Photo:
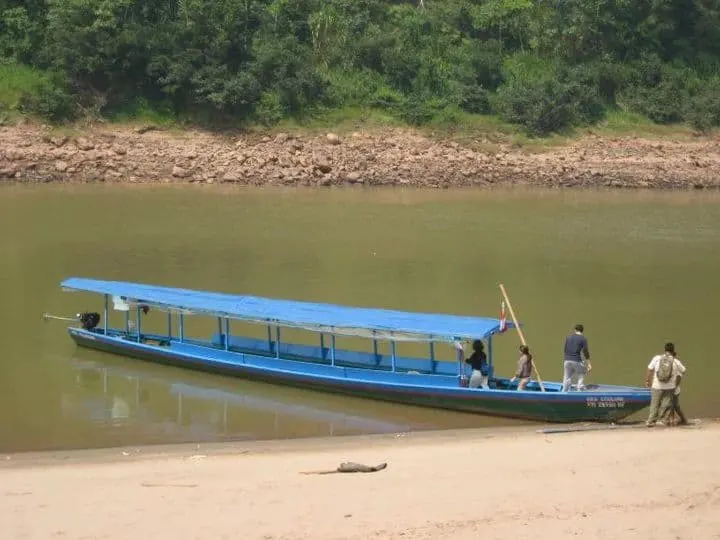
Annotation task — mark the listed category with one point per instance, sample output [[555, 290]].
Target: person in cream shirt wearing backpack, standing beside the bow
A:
[[663, 376]]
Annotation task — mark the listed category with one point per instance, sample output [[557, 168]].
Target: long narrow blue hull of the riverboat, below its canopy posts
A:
[[561, 407]]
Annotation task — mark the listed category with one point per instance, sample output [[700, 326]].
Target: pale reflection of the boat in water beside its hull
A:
[[139, 400]]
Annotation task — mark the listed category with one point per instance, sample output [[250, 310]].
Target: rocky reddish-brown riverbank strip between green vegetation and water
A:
[[32, 153]]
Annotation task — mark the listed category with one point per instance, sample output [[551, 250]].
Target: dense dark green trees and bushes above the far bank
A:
[[543, 64]]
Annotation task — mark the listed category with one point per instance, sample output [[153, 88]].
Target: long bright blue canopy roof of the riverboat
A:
[[327, 318]]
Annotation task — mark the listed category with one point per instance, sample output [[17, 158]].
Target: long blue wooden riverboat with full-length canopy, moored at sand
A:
[[428, 382]]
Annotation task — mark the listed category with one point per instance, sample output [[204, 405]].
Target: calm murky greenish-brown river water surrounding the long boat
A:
[[636, 268]]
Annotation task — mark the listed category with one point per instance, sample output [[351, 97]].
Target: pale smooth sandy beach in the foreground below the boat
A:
[[623, 483]]
